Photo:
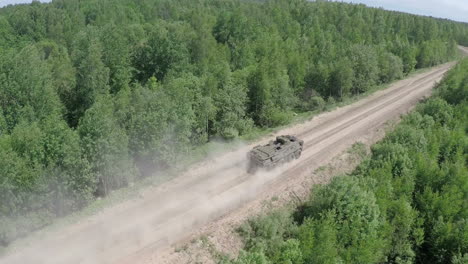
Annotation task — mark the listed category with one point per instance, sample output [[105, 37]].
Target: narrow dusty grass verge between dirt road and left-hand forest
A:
[[197, 155]]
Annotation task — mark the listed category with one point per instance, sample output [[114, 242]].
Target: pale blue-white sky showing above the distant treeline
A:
[[451, 9]]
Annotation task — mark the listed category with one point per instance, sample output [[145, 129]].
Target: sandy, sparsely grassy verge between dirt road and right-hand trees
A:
[[220, 239]]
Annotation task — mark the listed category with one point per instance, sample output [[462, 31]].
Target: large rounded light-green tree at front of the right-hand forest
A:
[[356, 217]]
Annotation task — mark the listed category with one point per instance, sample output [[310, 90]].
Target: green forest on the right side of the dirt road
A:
[[407, 203]]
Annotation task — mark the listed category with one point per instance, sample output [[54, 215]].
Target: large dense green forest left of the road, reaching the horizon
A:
[[98, 94]]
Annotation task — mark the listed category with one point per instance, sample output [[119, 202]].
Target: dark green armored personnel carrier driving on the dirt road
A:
[[282, 150]]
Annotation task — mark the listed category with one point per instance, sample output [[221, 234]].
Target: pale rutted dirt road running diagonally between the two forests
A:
[[168, 213]]
